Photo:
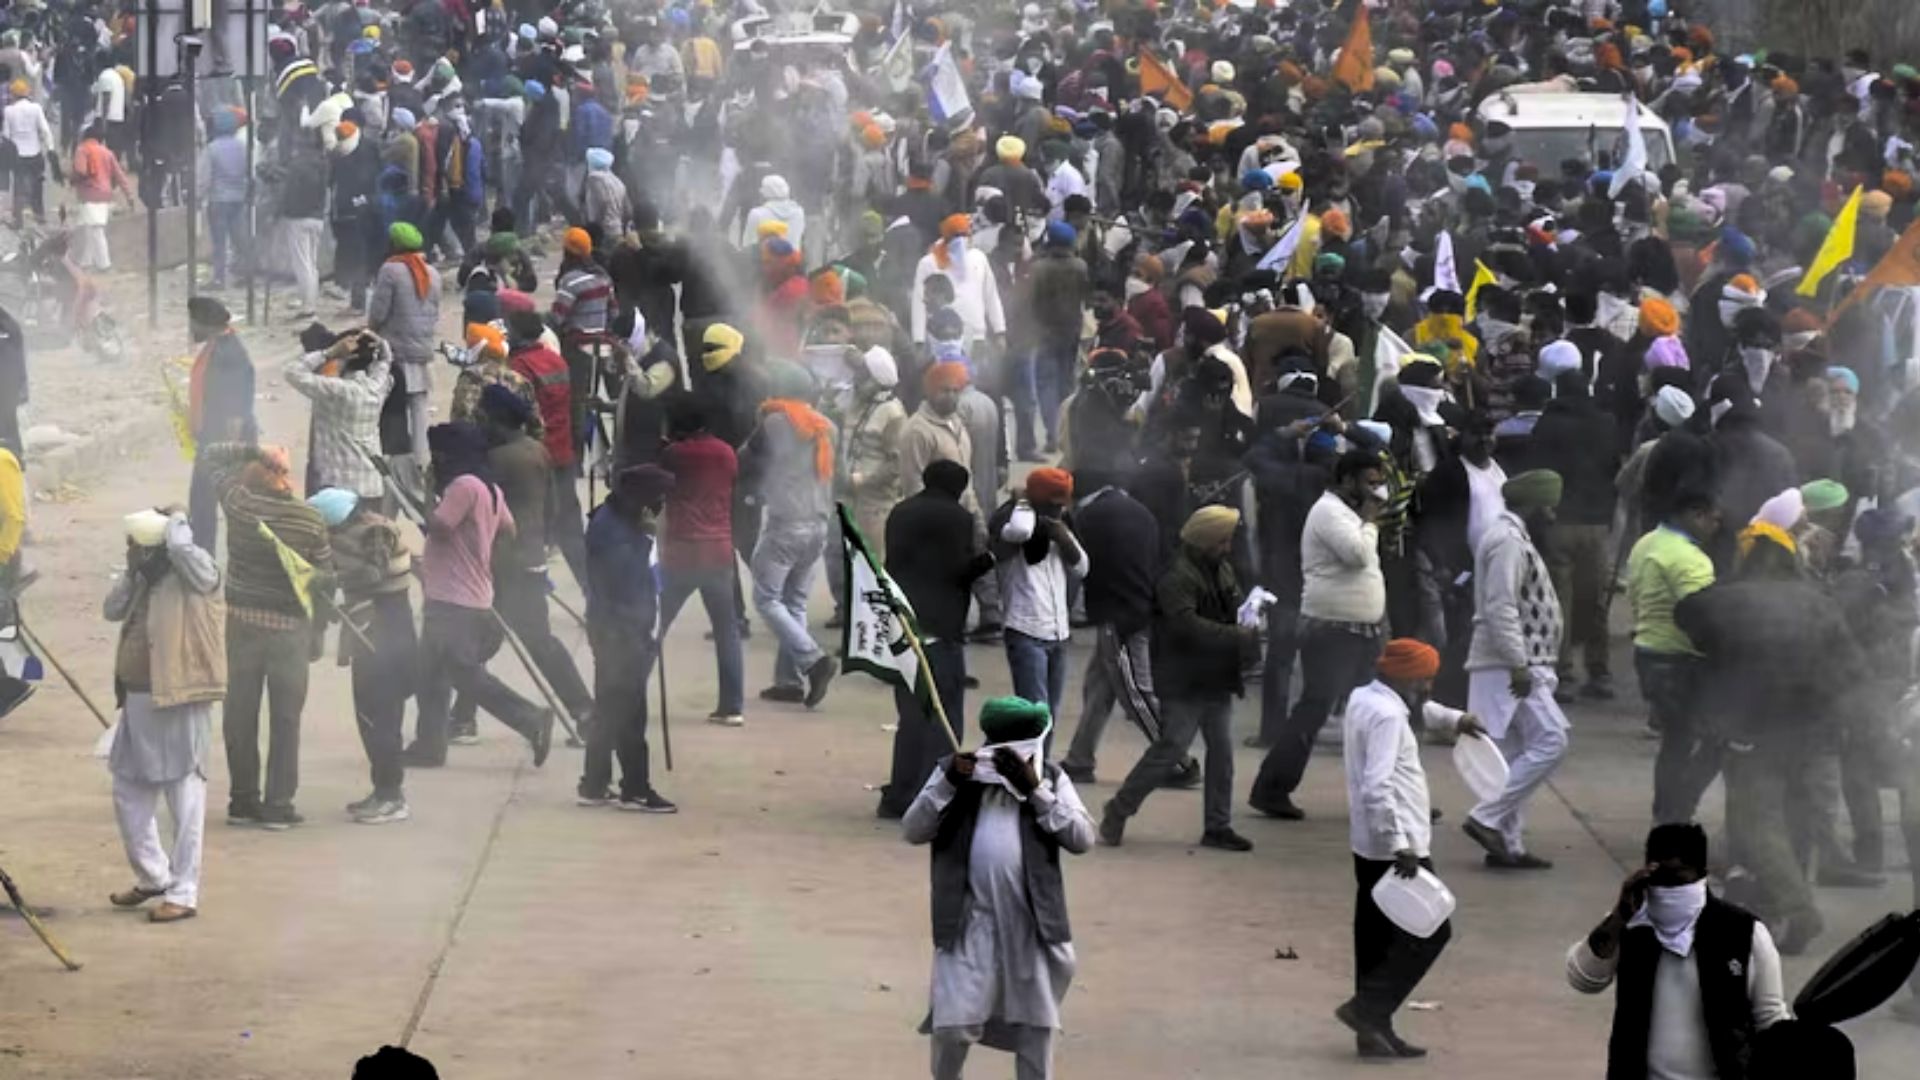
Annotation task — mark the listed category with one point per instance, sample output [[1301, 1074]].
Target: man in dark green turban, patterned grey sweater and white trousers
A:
[[1514, 662]]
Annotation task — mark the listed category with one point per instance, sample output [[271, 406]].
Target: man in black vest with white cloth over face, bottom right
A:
[[1696, 975]]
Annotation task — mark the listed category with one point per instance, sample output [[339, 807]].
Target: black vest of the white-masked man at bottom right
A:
[[1723, 948]]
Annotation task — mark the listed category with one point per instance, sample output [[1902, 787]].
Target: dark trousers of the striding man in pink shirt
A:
[[456, 643]]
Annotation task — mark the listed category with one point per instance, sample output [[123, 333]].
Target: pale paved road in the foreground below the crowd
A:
[[773, 929]]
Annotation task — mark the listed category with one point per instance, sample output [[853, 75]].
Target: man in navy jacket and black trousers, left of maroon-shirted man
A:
[[623, 614]]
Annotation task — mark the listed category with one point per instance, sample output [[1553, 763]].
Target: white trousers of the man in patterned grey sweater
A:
[[1533, 737]]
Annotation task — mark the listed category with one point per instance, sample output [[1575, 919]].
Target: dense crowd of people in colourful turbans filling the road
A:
[[1249, 339]]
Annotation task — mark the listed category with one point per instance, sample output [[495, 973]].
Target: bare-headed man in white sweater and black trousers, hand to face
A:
[[1343, 606]]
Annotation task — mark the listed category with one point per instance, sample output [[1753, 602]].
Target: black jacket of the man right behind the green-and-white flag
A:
[[930, 556]]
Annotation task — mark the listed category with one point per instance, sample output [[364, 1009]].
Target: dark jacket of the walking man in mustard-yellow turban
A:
[[1199, 649]]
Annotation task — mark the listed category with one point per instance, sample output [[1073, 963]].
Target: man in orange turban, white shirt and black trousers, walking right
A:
[[1391, 831]]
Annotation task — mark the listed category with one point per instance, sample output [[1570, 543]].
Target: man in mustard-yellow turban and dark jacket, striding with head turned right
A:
[[1199, 650]]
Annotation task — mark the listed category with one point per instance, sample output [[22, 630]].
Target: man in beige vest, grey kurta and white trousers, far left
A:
[[170, 670]]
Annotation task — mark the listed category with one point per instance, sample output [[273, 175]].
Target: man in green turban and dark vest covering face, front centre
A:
[[1003, 952]]
